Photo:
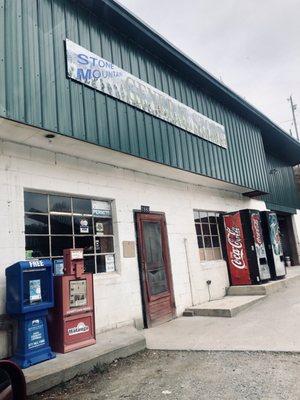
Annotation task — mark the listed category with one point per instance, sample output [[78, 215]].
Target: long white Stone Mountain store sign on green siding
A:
[[100, 74]]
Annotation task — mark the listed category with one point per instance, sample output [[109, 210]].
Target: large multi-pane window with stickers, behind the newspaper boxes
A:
[[54, 223]]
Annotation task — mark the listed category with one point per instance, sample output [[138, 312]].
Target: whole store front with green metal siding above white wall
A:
[[114, 141]]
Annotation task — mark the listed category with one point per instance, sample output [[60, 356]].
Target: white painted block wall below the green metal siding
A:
[[117, 295]]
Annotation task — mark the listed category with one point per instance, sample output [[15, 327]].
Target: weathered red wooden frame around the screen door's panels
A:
[[143, 285]]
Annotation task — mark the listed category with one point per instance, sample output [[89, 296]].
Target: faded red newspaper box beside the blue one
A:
[[72, 320]]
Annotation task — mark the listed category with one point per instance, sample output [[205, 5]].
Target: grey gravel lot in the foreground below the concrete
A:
[[182, 375]]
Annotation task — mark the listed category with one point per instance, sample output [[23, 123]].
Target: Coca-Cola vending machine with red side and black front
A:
[[244, 247]]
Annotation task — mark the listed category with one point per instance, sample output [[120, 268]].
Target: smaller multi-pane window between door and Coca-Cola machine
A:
[[208, 236]]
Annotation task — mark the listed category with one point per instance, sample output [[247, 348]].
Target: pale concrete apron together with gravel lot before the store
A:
[[254, 356]]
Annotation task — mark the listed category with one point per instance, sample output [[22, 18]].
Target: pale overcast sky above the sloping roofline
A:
[[253, 45]]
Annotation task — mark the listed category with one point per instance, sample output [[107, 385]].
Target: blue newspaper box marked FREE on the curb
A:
[[29, 295]]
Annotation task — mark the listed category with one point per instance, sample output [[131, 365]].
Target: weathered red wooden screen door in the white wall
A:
[[155, 268]]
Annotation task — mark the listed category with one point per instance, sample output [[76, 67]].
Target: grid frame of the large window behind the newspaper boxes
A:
[[74, 235]]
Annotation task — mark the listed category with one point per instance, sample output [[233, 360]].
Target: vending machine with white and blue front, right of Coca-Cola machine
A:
[[273, 244]]
